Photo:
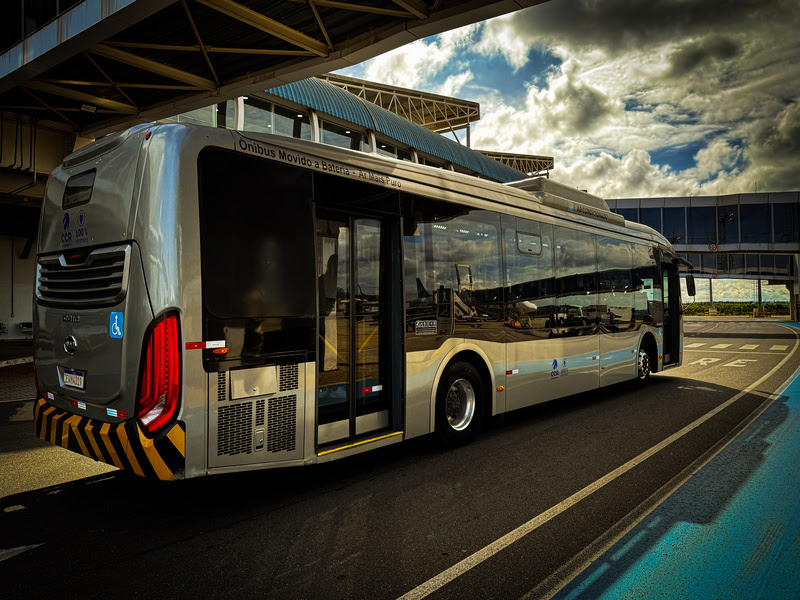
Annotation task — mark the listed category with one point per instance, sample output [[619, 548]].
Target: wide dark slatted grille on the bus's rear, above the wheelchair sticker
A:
[[79, 280]]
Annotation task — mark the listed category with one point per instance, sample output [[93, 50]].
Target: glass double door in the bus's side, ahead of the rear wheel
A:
[[354, 391]]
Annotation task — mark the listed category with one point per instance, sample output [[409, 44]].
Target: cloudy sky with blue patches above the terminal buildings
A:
[[632, 98]]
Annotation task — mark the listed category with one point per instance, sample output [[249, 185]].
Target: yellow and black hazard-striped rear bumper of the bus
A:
[[123, 445]]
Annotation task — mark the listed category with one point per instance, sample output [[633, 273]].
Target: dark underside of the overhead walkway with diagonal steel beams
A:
[[194, 53]]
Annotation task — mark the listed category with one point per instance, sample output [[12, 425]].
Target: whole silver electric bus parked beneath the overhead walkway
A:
[[210, 301]]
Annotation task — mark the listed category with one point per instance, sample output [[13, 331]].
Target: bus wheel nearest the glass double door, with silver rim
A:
[[459, 404]]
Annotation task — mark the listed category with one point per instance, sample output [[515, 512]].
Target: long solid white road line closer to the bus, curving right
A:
[[427, 588]]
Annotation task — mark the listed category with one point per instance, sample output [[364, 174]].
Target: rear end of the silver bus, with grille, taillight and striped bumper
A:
[[107, 363]]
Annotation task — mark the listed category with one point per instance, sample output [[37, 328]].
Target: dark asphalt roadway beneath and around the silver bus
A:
[[512, 515]]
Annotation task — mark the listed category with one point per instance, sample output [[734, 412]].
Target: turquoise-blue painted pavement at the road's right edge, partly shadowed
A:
[[732, 531]]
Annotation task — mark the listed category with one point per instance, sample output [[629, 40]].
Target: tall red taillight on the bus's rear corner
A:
[[160, 381]]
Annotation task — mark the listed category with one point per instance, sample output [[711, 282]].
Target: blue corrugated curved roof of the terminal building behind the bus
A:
[[332, 100]]
